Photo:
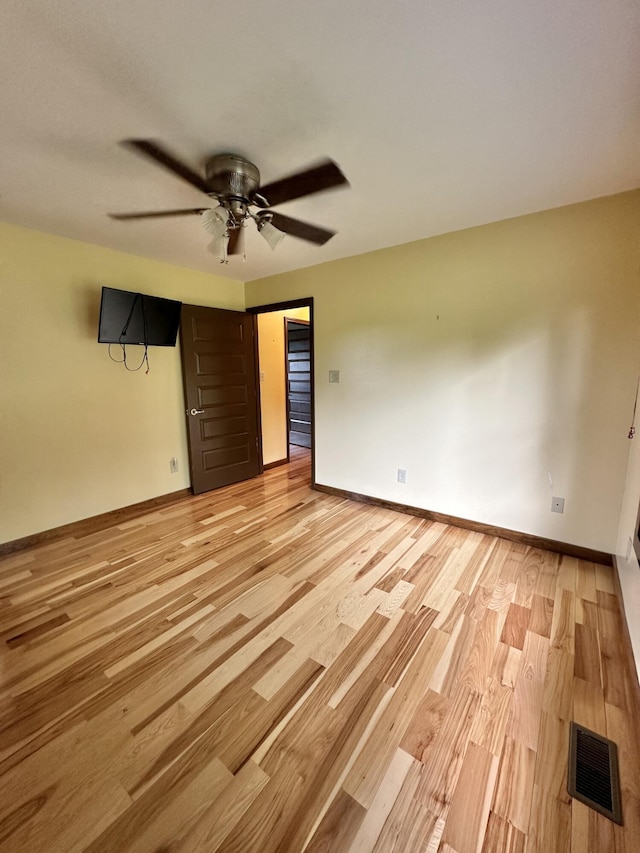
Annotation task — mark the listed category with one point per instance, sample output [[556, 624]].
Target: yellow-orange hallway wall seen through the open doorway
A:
[[273, 403]]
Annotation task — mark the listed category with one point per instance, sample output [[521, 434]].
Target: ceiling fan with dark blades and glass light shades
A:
[[235, 183]]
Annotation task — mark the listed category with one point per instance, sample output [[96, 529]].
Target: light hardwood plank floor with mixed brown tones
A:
[[268, 668]]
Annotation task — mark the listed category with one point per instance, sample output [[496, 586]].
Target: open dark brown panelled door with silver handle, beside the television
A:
[[219, 374]]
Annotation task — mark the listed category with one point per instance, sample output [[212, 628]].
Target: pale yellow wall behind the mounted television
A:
[[80, 435]]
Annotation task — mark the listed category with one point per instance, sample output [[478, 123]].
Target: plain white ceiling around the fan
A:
[[443, 114]]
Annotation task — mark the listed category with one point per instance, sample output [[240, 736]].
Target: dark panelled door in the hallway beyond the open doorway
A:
[[298, 341]]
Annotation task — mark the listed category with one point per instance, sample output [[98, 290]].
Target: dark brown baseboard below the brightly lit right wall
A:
[[479, 527]]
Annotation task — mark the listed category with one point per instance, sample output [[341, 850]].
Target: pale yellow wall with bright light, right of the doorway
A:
[[481, 362]]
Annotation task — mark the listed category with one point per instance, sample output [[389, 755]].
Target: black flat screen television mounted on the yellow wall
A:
[[134, 318]]
